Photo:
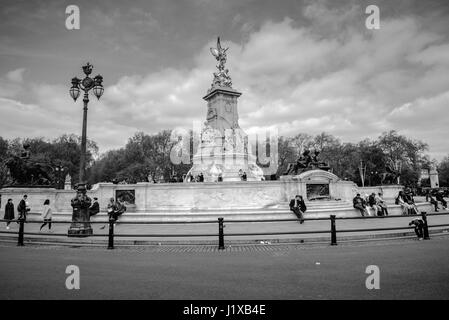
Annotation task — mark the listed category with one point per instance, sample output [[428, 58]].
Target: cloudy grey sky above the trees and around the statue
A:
[[302, 66]]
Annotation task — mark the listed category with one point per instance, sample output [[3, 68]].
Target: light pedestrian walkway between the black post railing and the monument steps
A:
[[234, 233]]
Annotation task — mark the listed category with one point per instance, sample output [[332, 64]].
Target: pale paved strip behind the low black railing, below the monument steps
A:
[[232, 228]]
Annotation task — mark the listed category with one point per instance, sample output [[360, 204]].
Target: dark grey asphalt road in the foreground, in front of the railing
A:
[[409, 269]]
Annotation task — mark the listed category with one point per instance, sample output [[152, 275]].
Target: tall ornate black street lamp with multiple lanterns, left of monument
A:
[[80, 226]]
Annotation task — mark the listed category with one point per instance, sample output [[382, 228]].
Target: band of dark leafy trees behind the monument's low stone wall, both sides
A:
[[147, 155]]
